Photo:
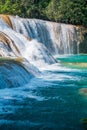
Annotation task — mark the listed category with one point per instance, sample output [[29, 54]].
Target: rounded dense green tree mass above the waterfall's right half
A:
[[67, 11]]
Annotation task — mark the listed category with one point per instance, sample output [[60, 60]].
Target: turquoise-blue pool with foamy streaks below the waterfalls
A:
[[52, 102]]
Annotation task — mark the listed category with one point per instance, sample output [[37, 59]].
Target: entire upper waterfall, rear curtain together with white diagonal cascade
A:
[[36, 40]]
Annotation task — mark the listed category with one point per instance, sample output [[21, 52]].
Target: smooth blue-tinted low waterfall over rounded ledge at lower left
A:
[[13, 74]]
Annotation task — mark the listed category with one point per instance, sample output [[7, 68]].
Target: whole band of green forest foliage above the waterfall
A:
[[66, 11]]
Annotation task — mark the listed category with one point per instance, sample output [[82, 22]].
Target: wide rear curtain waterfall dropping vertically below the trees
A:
[[58, 38]]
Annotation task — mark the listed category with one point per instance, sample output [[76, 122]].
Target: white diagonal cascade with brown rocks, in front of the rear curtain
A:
[[14, 44]]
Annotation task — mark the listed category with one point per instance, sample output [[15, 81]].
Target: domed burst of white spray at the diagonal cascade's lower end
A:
[[37, 54]]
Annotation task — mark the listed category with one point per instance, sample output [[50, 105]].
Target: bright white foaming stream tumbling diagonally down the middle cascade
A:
[[33, 51]]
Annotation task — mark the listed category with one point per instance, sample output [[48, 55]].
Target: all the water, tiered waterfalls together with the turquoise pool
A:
[[37, 91]]
